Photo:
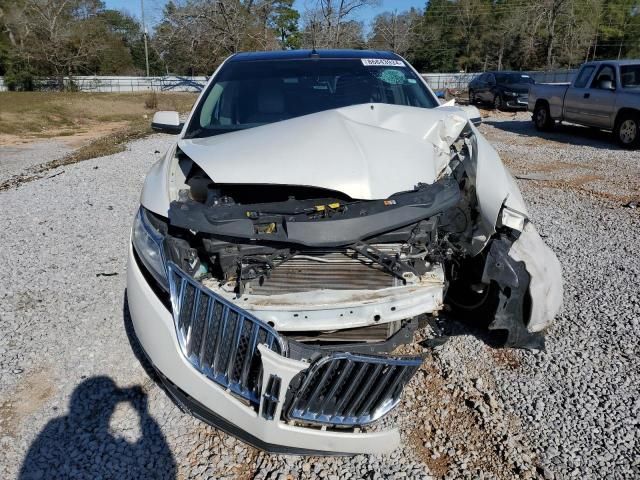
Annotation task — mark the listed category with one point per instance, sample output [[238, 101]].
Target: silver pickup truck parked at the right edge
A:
[[604, 94]]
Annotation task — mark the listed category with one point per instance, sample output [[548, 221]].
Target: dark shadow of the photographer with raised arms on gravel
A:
[[80, 445]]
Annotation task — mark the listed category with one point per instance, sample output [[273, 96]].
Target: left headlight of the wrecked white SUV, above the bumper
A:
[[147, 240]]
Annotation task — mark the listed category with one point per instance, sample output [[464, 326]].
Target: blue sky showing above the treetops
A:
[[153, 8]]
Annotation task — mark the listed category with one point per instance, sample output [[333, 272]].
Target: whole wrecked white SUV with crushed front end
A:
[[315, 210]]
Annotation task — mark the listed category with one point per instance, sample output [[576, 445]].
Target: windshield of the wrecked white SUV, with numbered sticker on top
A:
[[252, 93]]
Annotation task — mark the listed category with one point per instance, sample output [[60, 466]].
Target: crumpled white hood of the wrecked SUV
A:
[[366, 151]]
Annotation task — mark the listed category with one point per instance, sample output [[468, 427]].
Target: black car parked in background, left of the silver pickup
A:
[[501, 89]]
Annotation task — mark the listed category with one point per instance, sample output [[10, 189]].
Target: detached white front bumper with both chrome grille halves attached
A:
[[239, 378]]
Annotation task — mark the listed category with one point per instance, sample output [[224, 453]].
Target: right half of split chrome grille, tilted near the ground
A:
[[346, 389]]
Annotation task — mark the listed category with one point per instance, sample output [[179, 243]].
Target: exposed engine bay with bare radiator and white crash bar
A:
[[325, 269]]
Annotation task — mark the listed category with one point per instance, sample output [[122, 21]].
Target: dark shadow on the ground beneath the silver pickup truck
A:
[[564, 133]]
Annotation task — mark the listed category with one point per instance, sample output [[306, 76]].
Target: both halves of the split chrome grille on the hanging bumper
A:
[[227, 345]]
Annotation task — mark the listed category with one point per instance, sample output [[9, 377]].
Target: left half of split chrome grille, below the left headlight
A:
[[219, 339]]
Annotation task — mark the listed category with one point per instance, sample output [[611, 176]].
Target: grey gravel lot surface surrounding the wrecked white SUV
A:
[[76, 403]]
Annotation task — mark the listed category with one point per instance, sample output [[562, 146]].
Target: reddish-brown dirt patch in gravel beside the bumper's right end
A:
[[461, 417]]
